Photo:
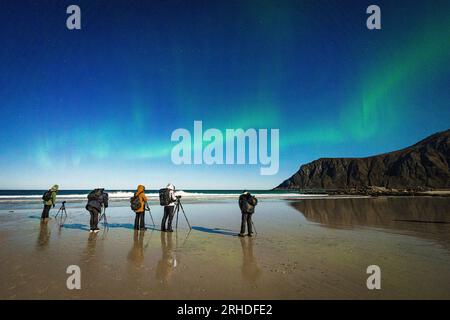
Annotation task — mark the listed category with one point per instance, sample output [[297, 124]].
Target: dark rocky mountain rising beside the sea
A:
[[425, 165]]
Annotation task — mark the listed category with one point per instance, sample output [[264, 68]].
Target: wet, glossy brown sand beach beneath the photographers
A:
[[304, 249]]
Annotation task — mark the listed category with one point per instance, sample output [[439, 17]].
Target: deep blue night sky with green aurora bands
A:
[[97, 106]]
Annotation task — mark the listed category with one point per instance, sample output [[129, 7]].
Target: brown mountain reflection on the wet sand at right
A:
[[424, 217]]
